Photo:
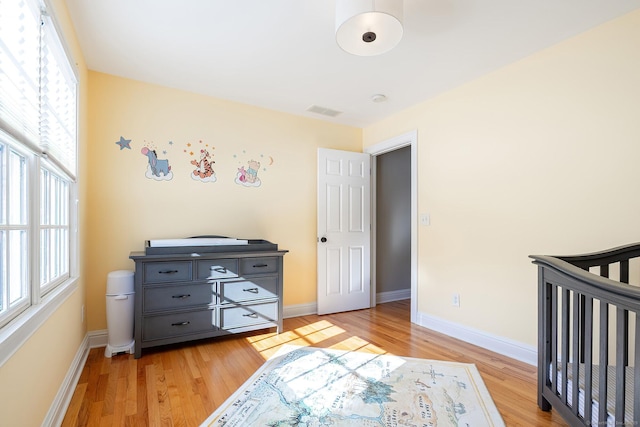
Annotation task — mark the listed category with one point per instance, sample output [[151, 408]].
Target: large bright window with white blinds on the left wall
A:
[[38, 146]]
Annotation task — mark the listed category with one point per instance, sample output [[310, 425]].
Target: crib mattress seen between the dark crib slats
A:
[[611, 390]]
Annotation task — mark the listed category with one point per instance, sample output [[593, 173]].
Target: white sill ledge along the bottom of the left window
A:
[[18, 331]]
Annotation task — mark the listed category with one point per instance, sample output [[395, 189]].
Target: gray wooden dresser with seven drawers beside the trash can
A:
[[187, 296]]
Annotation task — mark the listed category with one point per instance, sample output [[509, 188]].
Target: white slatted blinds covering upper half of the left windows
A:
[[38, 88]]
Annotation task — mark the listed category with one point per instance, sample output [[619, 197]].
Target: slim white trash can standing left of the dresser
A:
[[120, 295]]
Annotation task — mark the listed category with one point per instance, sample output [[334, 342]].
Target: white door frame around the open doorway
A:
[[400, 141]]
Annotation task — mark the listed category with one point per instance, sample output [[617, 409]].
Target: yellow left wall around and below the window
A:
[[30, 379]]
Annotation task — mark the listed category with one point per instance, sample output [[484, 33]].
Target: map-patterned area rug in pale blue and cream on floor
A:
[[308, 386]]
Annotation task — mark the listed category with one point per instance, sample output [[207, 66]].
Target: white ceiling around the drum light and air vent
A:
[[282, 54]]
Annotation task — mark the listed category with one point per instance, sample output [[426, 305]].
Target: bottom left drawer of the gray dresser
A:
[[177, 324]]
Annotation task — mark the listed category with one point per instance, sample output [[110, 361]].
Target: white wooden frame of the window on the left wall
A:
[[47, 299]]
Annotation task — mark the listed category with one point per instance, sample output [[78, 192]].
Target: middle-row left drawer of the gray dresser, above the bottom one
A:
[[176, 297]]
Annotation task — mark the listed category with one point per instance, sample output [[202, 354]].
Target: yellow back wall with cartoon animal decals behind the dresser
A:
[[125, 208]]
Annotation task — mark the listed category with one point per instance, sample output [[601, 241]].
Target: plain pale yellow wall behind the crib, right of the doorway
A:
[[540, 157]]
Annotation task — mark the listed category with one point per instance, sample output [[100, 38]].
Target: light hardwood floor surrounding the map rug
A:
[[181, 385]]
